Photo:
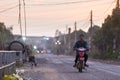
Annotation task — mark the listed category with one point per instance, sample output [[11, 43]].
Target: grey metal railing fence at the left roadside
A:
[[8, 61]]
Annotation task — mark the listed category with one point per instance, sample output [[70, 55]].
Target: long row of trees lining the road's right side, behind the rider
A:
[[104, 41]]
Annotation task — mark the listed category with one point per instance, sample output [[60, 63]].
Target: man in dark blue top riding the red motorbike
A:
[[81, 43]]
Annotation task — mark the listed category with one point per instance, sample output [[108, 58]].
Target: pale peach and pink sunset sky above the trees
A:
[[44, 20]]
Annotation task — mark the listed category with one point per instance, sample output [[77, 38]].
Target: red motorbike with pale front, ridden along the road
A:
[[80, 63]]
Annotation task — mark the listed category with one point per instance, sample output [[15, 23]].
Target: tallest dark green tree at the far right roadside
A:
[[107, 38]]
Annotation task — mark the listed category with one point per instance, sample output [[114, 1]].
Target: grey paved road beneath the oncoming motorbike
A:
[[53, 67]]
